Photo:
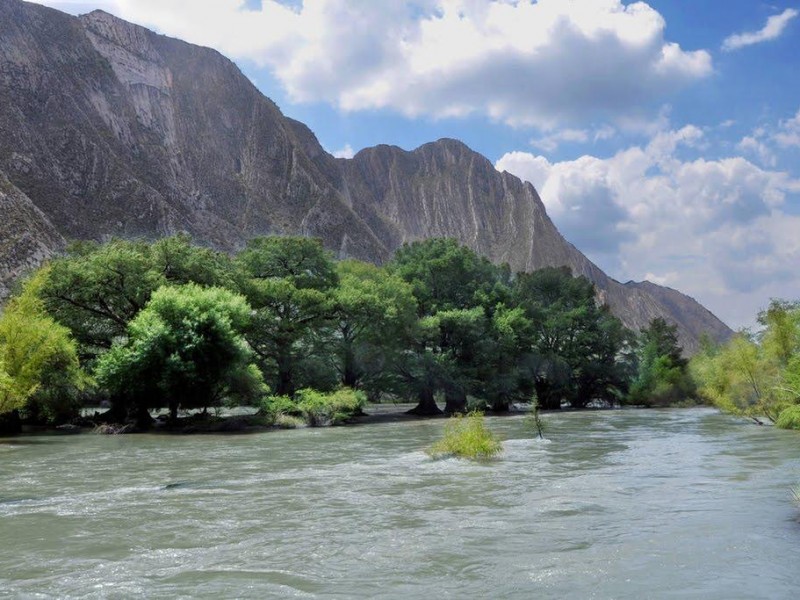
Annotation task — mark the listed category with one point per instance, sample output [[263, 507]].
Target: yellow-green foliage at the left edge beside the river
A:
[[39, 370]]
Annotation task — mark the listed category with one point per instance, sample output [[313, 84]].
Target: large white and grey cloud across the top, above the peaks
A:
[[542, 63]]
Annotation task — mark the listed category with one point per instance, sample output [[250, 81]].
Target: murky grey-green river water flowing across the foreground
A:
[[616, 504]]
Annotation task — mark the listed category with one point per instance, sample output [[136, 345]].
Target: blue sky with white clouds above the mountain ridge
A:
[[663, 136]]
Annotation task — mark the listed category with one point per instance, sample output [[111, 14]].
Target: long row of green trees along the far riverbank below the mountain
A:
[[170, 325]]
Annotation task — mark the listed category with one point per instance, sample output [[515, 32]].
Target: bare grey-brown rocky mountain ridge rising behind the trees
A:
[[108, 129]]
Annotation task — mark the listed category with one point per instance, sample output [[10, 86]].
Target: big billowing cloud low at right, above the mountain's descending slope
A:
[[716, 229]]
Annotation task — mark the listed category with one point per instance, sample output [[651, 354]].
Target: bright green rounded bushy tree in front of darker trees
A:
[[184, 349]]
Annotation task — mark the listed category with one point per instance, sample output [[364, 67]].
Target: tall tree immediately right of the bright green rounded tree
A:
[[288, 282]]
